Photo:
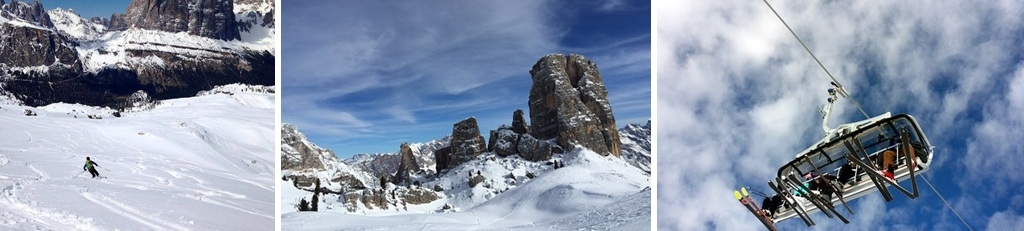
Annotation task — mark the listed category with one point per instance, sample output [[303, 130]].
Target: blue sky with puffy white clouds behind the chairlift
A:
[[738, 98]]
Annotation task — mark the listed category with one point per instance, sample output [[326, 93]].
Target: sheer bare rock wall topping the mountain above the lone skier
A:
[[212, 19]]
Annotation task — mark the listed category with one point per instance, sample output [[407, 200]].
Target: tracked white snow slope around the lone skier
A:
[[192, 164]]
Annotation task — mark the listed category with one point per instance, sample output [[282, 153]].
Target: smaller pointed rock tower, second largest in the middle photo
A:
[[467, 144]]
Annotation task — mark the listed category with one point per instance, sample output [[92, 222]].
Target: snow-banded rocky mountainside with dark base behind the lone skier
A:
[[57, 57]]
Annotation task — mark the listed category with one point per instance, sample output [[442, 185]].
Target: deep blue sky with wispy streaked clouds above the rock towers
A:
[[362, 77]]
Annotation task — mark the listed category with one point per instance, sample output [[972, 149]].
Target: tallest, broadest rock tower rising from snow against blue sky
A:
[[569, 103]]
